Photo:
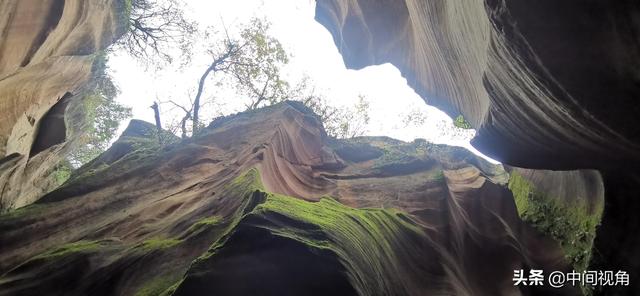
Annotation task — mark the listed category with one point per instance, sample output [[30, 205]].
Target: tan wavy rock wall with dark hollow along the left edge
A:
[[46, 56]]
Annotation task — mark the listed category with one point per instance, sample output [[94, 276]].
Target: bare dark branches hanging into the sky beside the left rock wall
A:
[[154, 28]]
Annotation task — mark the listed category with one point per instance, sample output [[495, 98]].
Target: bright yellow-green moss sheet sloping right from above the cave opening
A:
[[372, 244]]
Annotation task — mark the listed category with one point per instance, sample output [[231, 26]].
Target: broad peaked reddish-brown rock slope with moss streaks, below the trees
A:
[[264, 203]]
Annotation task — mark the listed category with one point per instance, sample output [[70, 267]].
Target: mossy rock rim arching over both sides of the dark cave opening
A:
[[373, 245]]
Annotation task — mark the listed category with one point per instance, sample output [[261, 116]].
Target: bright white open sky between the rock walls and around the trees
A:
[[313, 53]]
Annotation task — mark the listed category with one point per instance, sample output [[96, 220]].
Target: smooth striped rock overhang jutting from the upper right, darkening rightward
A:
[[547, 85]]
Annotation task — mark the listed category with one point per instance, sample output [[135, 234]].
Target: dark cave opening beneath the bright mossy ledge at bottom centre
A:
[[257, 262]]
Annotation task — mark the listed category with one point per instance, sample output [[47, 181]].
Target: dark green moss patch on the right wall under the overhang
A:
[[570, 224]]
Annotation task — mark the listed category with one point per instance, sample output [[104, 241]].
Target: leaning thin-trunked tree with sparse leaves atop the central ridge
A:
[[249, 63]]
